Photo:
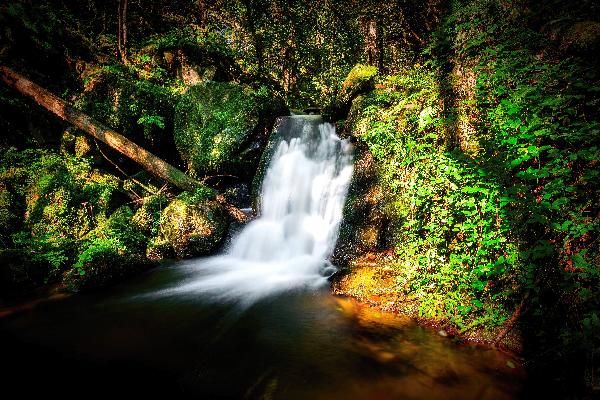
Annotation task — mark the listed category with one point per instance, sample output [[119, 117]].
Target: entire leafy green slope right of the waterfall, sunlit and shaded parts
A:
[[477, 229]]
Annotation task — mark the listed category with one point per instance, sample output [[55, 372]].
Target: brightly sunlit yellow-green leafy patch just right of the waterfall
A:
[[451, 244]]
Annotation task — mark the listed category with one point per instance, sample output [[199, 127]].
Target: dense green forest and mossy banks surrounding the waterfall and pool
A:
[[475, 198]]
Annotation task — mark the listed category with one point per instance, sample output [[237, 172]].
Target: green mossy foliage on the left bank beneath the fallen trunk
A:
[[65, 220]]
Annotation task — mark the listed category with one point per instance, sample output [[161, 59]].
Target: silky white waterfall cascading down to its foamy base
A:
[[288, 245]]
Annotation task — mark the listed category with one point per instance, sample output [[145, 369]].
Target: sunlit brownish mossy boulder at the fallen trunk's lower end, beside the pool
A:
[[191, 225]]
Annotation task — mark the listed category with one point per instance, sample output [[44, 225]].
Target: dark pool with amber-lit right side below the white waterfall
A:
[[301, 345]]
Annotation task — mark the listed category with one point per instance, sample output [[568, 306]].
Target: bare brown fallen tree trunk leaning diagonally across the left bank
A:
[[64, 110]]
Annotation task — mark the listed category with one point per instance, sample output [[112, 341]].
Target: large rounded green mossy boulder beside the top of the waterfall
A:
[[221, 128]]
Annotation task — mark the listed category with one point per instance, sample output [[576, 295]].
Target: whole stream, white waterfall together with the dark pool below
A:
[[257, 322]]
